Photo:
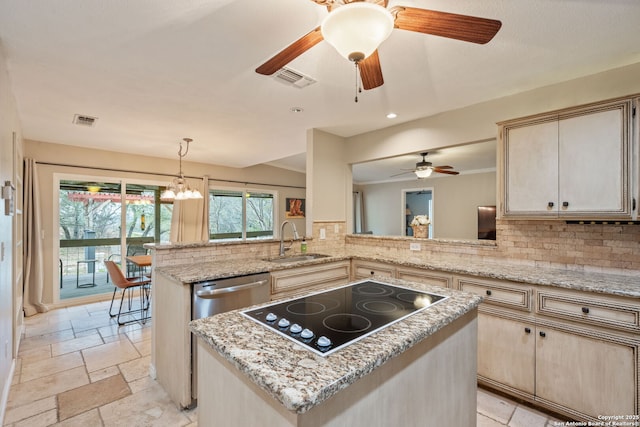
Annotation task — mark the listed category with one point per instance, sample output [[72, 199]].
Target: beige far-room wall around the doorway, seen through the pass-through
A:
[[455, 203]]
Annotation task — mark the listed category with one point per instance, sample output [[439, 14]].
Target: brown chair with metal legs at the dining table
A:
[[127, 285]]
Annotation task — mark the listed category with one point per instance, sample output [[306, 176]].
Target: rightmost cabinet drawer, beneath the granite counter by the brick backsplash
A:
[[598, 310]]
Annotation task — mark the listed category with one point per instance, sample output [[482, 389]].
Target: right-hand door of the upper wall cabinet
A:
[[593, 163]]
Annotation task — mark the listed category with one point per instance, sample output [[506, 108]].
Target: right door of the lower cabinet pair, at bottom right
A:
[[588, 374]]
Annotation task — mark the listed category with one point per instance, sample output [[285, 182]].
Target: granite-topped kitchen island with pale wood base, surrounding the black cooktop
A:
[[418, 371]]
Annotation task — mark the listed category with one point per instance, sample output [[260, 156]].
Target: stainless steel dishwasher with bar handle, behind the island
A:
[[218, 296]]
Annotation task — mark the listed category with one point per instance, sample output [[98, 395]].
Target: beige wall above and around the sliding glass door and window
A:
[[281, 180]]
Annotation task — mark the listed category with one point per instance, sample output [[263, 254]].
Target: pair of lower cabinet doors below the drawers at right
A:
[[569, 370]]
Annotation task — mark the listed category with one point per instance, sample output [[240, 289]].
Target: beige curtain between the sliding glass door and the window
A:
[[190, 218]]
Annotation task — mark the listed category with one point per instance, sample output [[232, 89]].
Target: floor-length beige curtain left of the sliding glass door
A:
[[33, 251]]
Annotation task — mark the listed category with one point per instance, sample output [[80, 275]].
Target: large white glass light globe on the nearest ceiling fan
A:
[[357, 29]]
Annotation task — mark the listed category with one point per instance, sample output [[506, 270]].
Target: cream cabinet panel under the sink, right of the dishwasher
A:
[[292, 281]]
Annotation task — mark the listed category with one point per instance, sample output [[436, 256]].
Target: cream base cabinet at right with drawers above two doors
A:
[[575, 353]]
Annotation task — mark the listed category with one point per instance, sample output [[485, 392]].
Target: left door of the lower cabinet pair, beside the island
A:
[[506, 351]]
